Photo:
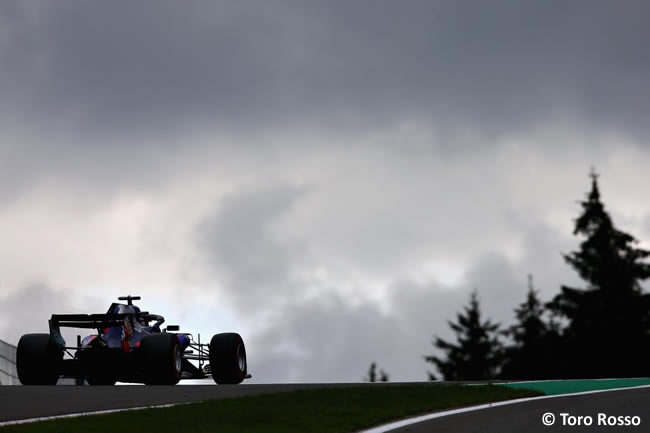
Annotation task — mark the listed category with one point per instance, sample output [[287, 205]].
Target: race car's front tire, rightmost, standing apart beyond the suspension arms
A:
[[228, 359]]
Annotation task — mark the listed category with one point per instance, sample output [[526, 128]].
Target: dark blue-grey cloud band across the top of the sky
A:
[[499, 67]]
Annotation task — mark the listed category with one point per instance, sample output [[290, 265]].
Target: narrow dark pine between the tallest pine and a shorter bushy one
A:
[[528, 356]]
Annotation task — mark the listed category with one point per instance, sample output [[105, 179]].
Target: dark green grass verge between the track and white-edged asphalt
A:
[[319, 411]]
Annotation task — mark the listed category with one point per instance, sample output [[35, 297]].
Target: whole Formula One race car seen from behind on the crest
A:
[[128, 347]]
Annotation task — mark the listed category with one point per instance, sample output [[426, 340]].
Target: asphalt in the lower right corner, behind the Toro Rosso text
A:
[[527, 416]]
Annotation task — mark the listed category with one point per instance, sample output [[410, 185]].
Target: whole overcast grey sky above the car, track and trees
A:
[[331, 179]]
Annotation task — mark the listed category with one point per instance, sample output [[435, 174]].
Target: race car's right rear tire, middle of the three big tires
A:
[[161, 359]]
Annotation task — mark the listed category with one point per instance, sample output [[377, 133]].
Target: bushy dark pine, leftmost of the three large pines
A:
[[476, 354]]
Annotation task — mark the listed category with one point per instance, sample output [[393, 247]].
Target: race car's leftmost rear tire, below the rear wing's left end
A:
[[37, 360]]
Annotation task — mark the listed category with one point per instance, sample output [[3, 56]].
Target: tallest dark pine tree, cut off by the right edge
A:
[[608, 321]]
